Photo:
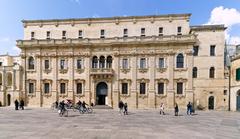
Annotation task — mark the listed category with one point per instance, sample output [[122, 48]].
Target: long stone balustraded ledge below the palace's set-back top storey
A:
[[189, 38]]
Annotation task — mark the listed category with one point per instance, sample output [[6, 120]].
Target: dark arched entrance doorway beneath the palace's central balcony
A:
[[102, 90]]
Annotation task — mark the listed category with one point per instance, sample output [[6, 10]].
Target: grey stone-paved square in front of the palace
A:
[[36, 123]]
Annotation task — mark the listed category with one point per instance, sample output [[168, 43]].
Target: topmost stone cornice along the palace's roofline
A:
[[116, 20]]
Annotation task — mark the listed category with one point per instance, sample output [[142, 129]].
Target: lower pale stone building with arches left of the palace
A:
[[10, 79]]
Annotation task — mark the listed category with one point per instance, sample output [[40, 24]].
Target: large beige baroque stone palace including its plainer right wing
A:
[[141, 60]]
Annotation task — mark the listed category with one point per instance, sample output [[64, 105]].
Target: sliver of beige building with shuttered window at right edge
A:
[[235, 78]]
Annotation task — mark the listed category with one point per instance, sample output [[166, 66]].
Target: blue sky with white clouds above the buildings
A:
[[203, 11]]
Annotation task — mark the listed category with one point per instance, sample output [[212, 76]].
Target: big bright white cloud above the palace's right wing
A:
[[229, 17]]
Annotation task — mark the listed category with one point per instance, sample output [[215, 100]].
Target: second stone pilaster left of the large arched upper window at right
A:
[[151, 93]]
